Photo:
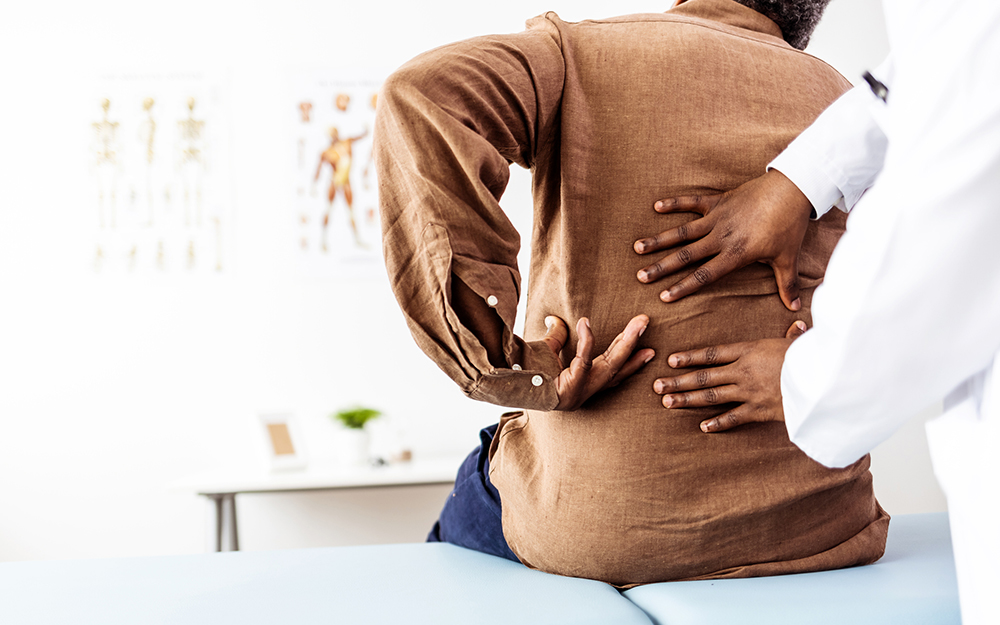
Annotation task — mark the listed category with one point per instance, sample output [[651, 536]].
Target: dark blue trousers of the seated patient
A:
[[471, 515]]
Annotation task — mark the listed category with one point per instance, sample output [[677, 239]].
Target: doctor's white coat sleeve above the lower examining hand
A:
[[909, 307]]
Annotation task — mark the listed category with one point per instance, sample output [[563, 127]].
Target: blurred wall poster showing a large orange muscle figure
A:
[[335, 208]]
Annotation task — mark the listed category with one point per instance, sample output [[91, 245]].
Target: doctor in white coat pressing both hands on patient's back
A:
[[910, 308]]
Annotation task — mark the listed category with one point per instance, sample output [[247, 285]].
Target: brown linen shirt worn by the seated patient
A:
[[611, 115]]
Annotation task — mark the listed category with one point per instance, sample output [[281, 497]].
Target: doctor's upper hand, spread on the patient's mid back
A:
[[762, 220]]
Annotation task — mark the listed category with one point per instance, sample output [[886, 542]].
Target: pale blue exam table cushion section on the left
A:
[[391, 584]]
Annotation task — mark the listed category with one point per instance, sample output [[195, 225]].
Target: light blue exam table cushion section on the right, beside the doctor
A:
[[914, 584]]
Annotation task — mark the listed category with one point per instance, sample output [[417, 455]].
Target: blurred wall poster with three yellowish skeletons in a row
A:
[[160, 197]]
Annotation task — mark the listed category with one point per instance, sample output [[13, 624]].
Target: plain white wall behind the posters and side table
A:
[[111, 389]]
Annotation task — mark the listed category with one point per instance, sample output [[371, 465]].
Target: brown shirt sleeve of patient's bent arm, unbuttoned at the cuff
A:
[[448, 126]]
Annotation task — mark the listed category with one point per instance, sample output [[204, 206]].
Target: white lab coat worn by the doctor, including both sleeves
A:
[[910, 308]]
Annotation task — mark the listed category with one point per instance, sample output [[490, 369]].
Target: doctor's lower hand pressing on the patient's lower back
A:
[[748, 374]]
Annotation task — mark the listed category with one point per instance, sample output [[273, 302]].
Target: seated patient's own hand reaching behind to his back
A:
[[585, 375]]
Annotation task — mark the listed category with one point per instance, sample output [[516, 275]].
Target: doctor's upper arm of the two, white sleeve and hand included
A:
[[831, 162]]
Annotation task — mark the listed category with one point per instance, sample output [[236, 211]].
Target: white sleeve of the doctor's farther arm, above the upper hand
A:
[[840, 155]]
